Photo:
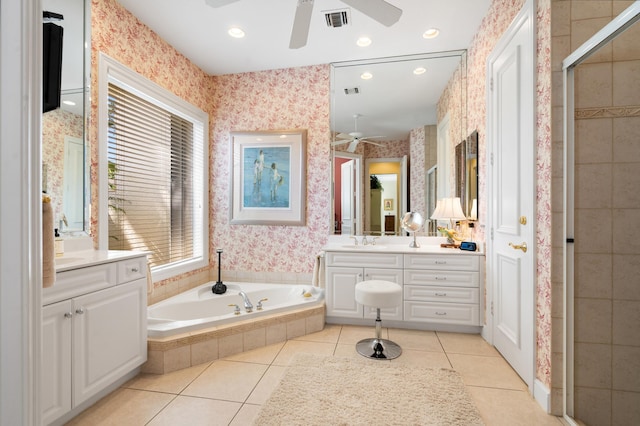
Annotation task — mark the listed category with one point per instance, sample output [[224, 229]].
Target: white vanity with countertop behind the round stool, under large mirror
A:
[[442, 287]]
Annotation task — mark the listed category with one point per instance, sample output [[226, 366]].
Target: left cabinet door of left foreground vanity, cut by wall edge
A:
[[55, 373]]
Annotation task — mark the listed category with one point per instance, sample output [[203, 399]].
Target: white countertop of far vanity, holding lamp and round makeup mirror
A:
[[395, 244]]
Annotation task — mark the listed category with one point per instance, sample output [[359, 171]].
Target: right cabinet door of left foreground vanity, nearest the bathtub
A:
[[110, 337]]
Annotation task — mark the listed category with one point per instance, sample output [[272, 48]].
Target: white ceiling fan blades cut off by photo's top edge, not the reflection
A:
[[378, 10]]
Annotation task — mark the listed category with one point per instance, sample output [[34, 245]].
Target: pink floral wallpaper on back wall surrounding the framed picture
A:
[[295, 98]]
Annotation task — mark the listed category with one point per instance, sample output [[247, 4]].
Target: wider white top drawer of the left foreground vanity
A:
[[80, 281]]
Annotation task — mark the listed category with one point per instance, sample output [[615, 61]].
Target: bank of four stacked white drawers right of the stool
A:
[[442, 289]]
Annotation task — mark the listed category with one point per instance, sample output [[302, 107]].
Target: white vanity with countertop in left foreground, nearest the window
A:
[[93, 329]]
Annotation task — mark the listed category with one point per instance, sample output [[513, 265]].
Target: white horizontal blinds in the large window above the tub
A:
[[155, 179]]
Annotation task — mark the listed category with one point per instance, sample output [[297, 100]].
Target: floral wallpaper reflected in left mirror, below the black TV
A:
[[56, 125]]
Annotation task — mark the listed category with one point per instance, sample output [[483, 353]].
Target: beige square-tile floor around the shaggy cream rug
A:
[[229, 391]]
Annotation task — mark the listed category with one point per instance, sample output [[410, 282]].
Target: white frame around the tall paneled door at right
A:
[[526, 13]]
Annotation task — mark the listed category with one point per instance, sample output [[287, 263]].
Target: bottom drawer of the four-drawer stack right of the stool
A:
[[442, 313]]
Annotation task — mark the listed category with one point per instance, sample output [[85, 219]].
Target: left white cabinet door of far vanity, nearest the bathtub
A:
[[341, 292]]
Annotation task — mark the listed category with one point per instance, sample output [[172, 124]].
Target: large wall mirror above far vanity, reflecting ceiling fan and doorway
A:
[[394, 122]]
